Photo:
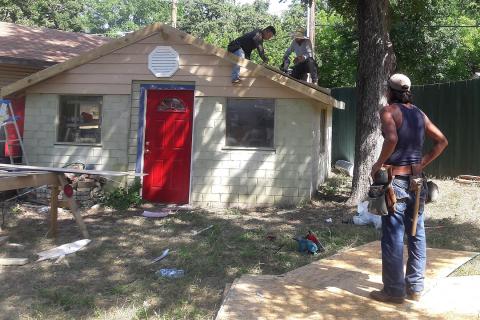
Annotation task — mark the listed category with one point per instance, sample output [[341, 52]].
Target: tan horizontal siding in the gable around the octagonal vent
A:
[[115, 72]]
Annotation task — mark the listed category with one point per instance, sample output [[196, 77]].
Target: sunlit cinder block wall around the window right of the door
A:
[[227, 177]]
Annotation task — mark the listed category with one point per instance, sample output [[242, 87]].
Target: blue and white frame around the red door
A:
[[144, 87]]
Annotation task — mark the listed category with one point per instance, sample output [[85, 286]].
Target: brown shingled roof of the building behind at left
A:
[[42, 46]]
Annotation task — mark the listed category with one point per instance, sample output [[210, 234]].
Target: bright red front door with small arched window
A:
[[168, 144]]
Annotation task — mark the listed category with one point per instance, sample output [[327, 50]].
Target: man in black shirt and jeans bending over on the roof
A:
[[243, 46]]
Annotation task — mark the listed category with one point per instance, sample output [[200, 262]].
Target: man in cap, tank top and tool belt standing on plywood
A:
[[404, 128]]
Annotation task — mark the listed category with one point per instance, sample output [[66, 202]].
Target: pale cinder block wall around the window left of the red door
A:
[[41, 120]]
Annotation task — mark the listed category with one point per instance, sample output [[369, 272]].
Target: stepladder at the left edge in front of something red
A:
[[12, 139]]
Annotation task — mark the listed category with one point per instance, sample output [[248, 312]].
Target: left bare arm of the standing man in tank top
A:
[[389, 130]]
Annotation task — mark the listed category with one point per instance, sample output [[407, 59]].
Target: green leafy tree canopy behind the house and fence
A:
[[434, 40]]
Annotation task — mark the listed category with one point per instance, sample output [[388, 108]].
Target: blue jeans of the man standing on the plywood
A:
[[394, 226]]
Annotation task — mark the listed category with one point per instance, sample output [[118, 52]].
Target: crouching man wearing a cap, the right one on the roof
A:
[[303, 62]]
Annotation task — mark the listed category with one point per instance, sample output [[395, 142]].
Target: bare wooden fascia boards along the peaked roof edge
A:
[[310, 91]]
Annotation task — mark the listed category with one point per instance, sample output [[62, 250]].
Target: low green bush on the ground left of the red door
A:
[[123, 198]]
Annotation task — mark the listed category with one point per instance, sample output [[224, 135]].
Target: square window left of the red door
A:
[[80, 119]]
